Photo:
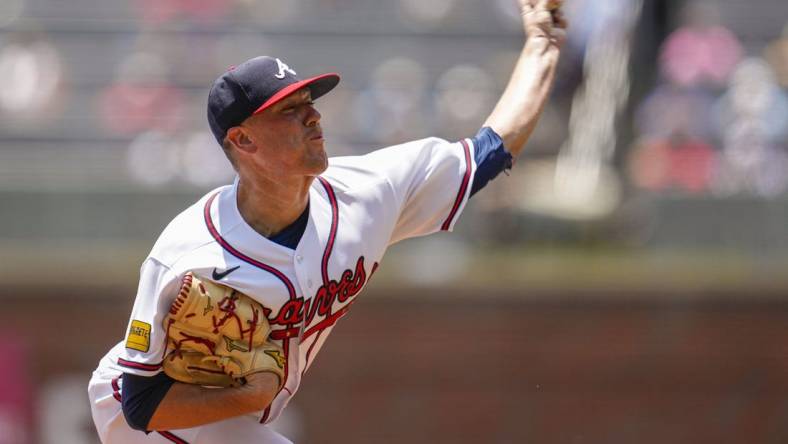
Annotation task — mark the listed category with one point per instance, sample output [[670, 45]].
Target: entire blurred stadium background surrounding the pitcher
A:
[[627, 283]]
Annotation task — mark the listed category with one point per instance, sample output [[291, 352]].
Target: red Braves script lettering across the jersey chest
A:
[[298, 310]]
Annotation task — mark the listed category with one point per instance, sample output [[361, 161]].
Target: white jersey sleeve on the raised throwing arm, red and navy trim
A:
[[430, 181]]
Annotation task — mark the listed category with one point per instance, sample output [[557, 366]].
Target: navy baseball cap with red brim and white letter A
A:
[[253, 86]]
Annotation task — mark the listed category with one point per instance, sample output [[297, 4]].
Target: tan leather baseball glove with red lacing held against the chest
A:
[[216, 336]]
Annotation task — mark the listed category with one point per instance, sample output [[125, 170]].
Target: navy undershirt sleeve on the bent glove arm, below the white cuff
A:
[[141, 396]]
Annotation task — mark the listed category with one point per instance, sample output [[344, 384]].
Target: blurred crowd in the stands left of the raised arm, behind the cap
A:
[[124, 75]]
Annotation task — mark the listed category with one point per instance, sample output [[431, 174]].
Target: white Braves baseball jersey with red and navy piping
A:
[[358, 207]]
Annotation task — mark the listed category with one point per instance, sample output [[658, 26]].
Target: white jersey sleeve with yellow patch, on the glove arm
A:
[[145, 341]]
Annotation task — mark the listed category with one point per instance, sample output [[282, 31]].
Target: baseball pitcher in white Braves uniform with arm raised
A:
[[242, 289]]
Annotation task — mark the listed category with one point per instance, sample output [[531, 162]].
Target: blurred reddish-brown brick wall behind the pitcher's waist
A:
[[460, 370]]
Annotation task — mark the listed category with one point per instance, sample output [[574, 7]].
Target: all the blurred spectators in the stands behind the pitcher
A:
[[122, 75]]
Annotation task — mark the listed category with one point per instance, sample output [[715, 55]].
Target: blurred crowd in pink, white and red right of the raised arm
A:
[[716, 123]]
